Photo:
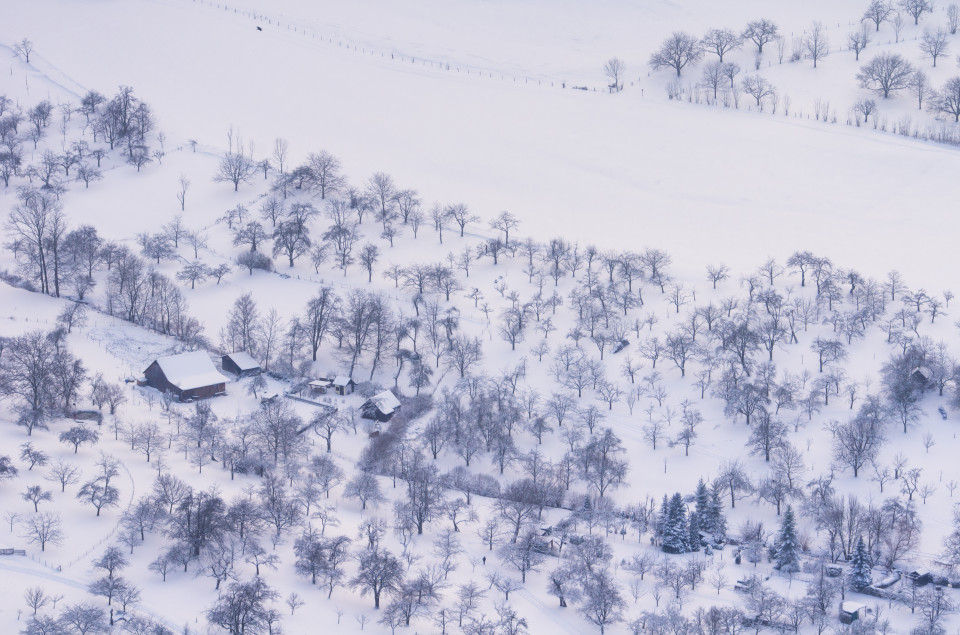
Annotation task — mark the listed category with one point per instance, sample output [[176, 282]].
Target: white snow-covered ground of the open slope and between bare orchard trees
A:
[[473, 102]]
